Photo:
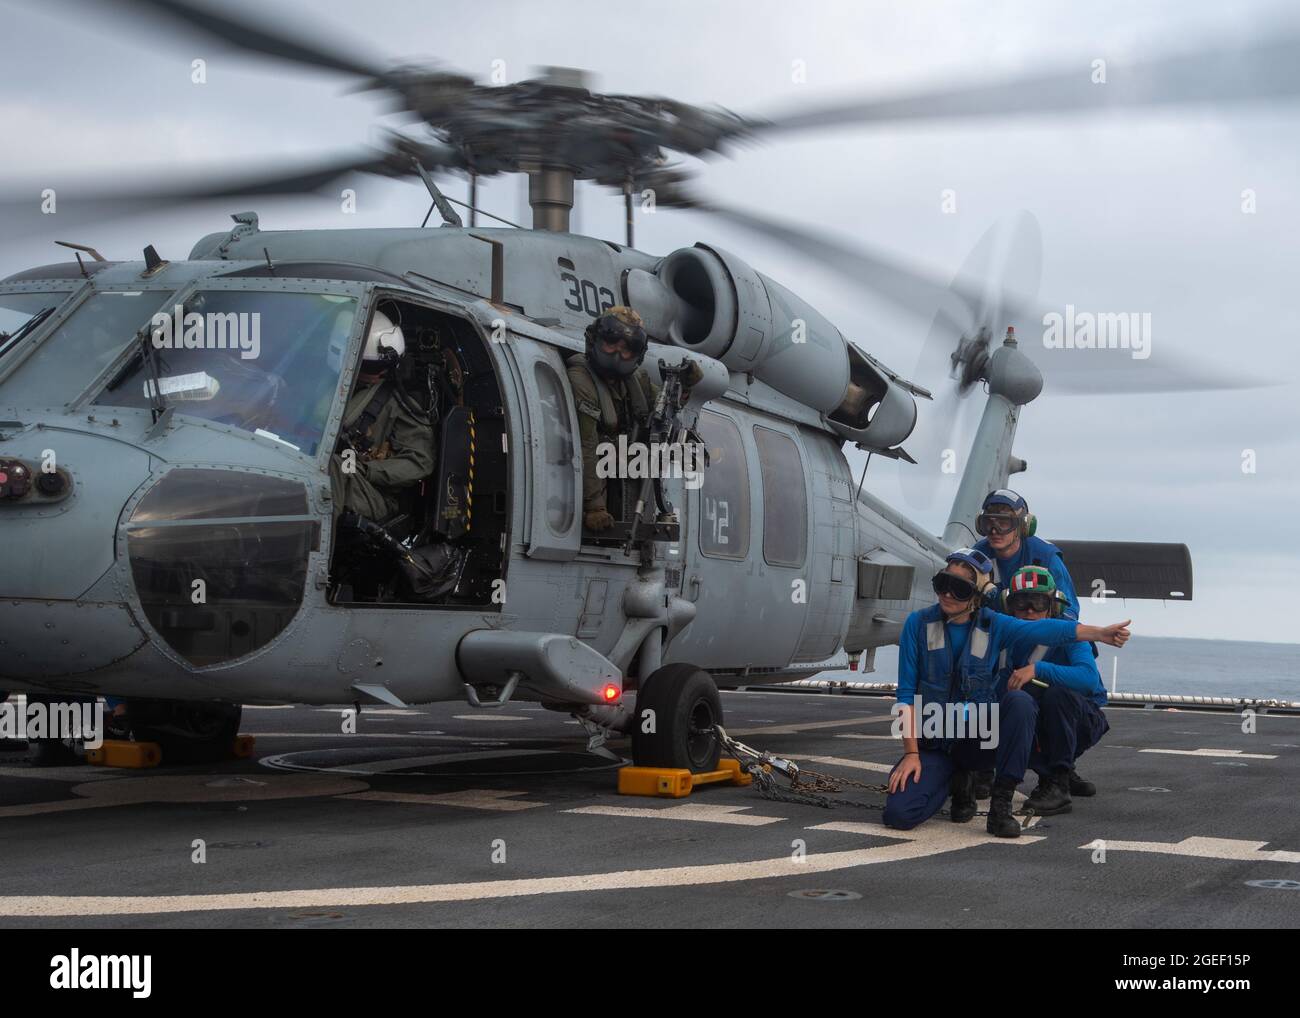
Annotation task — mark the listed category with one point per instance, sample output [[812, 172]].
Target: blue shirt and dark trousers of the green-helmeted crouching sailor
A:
[[1071, 716]]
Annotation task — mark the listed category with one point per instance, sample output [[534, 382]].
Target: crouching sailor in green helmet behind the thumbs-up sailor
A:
[[1069, 692]]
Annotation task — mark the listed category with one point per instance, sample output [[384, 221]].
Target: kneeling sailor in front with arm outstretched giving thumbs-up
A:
[[950, 675]]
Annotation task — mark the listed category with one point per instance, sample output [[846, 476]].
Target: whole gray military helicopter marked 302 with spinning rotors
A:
[[170, 526]]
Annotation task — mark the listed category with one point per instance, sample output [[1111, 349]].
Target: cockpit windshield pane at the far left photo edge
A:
[[70, 359]]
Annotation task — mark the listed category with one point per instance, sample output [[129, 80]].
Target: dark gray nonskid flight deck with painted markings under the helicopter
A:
[[450, 817]]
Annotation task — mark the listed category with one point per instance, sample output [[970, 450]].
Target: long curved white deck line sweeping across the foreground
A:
[[928, 841]]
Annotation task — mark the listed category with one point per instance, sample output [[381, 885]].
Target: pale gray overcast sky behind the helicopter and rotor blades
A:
[[1139, 213]]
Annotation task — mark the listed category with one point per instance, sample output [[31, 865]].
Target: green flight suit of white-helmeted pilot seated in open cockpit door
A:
[[401, 454]]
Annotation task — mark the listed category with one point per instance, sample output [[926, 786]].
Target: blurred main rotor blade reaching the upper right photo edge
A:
[[1267, 71]]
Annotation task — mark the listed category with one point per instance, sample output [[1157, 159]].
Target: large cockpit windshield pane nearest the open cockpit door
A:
[[261, 361]]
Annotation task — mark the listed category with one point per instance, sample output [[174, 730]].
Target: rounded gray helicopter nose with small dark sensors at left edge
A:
[[64, 612]]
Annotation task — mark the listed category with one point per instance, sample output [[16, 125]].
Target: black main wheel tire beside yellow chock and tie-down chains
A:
[[686, 703]]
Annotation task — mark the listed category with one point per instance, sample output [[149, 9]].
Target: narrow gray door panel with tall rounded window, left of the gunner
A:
[[553, 491]]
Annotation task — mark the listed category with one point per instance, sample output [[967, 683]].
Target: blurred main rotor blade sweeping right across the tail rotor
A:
[[1067, 369]]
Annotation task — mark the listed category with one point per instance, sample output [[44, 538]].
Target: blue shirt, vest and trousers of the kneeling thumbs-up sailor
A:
[[943, 664]]
